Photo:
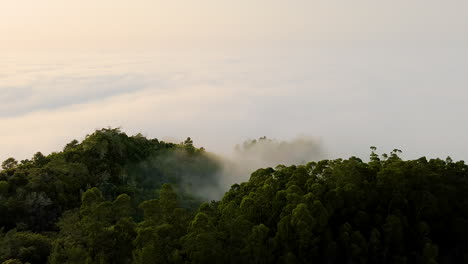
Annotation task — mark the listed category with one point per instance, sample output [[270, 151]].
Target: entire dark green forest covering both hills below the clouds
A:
[[114, 198]]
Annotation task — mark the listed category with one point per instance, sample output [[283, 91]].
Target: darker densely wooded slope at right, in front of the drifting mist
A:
[[341, 211]]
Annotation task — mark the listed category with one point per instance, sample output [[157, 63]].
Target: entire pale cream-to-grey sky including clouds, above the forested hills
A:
[[350, 74]]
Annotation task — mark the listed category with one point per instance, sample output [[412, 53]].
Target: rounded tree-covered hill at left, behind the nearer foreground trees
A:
[[37, 191]]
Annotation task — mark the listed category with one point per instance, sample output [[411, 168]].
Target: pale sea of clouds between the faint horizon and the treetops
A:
[[354, 100]]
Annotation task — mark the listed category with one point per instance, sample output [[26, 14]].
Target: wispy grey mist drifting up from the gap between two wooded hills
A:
[[250, 156]]
